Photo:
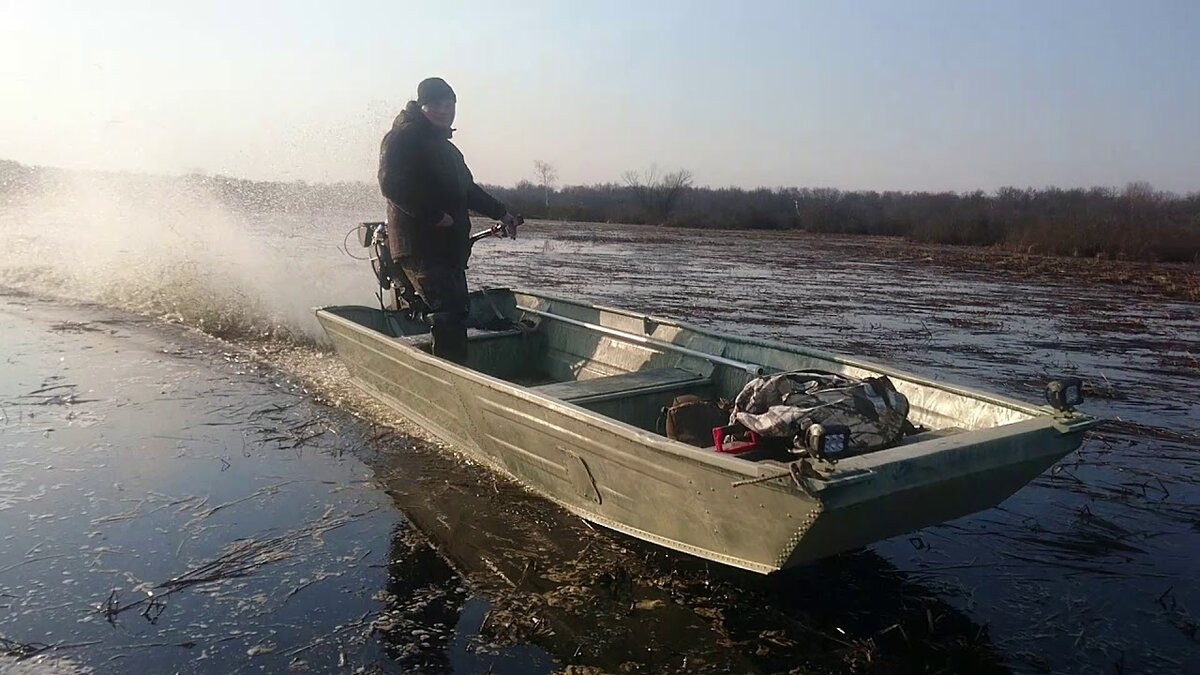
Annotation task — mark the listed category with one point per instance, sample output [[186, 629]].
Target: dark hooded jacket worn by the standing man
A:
[[424, 177]]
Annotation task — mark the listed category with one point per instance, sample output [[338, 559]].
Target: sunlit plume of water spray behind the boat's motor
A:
[[164, 248]]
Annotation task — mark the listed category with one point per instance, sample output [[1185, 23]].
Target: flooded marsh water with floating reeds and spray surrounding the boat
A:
[[167, 498]]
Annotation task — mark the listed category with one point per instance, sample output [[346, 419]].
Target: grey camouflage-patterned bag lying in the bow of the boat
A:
[[789, 403]]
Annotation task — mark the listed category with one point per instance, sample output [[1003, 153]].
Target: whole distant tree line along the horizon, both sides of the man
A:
[[1133, 223]]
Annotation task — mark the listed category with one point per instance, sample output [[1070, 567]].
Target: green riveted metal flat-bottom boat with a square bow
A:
[[566, 398]]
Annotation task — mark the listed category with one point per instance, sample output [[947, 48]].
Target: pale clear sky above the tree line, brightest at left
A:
[[859, 95]]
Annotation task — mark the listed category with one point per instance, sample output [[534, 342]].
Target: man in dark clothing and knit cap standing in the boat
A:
[[430, 192]]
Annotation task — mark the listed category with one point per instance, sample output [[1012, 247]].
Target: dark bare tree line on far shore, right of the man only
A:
[[1135, 223]]
